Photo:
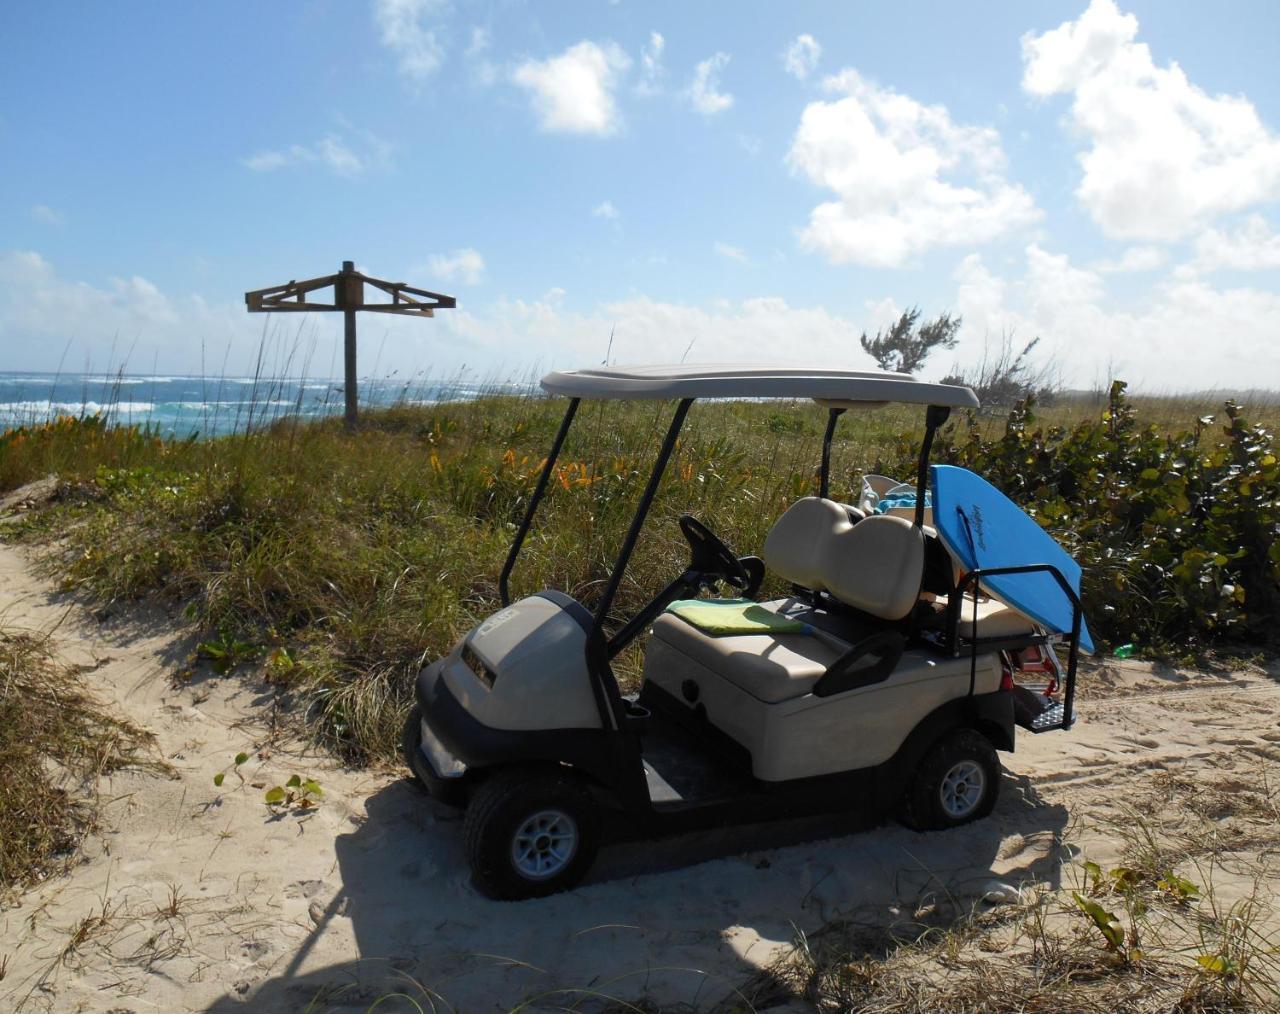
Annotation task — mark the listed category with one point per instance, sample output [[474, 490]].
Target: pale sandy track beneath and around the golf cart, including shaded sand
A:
[[368, 894]]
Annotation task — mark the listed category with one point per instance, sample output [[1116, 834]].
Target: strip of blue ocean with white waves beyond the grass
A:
[[181, 406]]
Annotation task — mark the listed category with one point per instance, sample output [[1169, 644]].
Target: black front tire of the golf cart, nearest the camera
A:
[[509, 805]]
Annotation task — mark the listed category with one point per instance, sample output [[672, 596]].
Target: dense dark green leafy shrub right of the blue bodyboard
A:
[[1178, 535]]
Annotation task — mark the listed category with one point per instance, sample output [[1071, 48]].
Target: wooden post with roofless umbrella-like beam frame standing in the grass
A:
[[349, 296]]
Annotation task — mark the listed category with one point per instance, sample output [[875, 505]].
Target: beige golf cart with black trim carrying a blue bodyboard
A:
[[917, 634]]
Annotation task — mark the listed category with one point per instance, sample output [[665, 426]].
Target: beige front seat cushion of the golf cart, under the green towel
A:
[[771, 668]]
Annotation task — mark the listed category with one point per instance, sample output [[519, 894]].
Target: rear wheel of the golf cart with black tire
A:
[[956, 784]]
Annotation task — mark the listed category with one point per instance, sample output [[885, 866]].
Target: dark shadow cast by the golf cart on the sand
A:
[[683, 920]]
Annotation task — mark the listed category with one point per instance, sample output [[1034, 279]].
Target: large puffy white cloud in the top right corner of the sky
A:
[[1164, 157]]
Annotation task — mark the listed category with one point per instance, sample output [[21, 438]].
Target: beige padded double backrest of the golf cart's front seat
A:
[[876, 565]]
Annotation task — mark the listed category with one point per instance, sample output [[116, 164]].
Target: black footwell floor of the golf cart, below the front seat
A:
[[682, 771]]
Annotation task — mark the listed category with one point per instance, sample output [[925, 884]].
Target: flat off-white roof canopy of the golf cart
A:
[[829, 387]]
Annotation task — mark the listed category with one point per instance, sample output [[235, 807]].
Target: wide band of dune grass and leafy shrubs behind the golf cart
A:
[[342, 561]]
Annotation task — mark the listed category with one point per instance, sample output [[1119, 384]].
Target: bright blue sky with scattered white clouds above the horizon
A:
[[760, 181]]
